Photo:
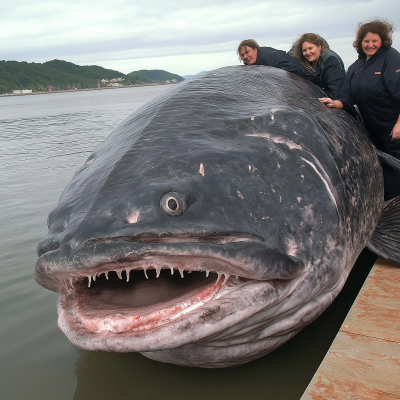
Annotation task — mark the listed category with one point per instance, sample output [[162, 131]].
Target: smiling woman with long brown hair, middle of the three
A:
[[322, 65]]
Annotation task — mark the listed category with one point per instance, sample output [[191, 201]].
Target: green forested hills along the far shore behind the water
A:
[[63, 75]]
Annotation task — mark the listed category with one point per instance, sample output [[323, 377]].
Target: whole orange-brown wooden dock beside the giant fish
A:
[[363, 361]]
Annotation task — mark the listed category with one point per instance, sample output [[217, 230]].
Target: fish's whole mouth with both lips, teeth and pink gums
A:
[[141, 301]]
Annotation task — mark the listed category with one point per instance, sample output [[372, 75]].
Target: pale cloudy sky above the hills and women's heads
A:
[[182, 37]]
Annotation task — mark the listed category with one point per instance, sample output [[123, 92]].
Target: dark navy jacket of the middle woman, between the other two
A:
[[330, 73]]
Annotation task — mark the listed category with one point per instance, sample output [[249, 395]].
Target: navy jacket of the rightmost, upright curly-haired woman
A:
[[374, 85]]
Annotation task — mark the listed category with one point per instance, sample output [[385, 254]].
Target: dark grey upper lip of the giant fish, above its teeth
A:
[[56, 269]]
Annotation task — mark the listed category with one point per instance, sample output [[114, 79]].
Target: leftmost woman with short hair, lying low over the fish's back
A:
[[252, 54]]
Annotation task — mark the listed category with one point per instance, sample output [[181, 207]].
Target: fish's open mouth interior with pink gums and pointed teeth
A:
[[136, 300]]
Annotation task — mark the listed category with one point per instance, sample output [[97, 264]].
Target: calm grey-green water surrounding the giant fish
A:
[[43, 140]]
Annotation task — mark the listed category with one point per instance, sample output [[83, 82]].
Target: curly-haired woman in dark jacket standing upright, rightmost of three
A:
[[373, 84]]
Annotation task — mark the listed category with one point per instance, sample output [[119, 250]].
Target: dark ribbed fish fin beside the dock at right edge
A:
[[385, 241]]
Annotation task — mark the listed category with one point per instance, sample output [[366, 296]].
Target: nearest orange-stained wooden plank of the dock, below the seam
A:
[[357, 367]]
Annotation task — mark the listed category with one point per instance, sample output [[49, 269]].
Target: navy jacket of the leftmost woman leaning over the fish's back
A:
[[279, 59]]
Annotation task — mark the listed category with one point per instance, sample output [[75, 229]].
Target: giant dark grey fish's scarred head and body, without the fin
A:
[[239, 173]]
